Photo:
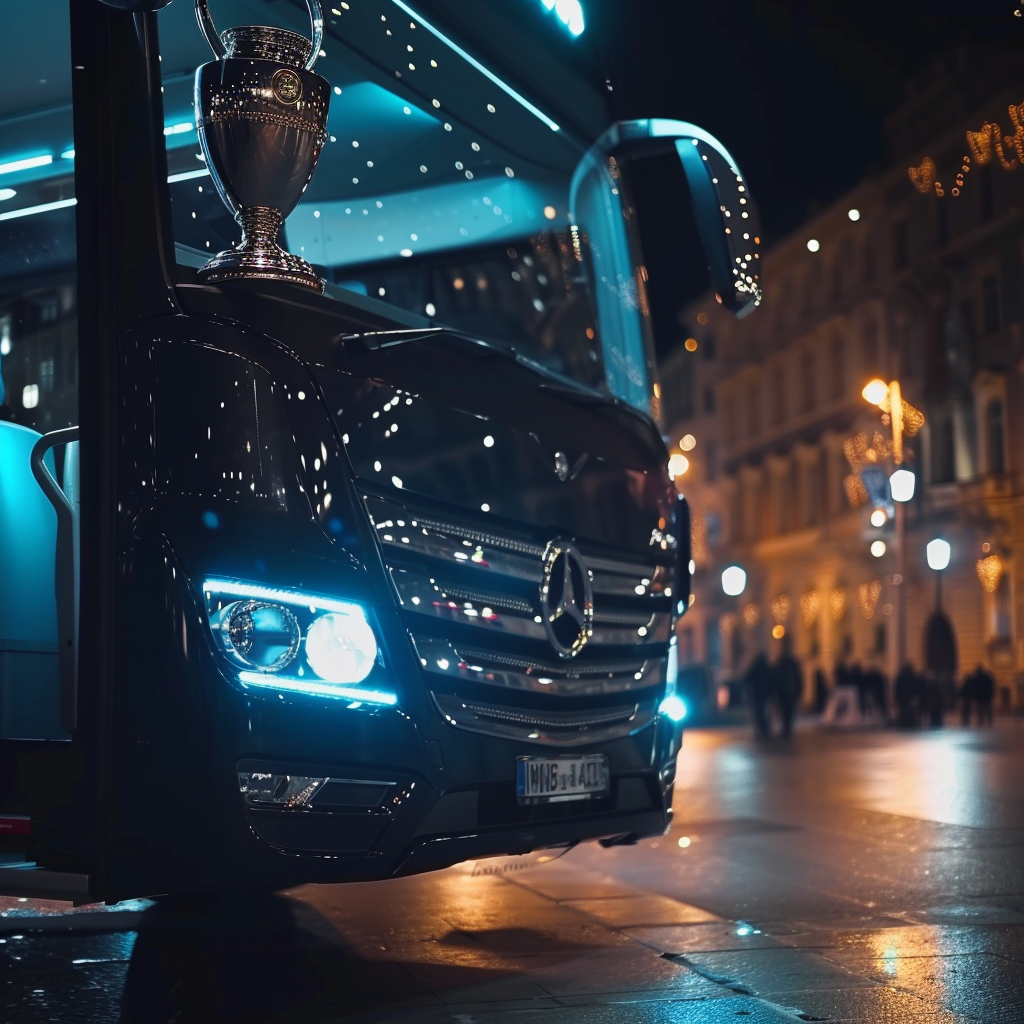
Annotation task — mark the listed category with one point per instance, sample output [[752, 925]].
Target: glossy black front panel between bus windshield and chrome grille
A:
[[468, 424]]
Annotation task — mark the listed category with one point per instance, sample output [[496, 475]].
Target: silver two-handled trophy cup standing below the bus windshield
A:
[[262, 116]]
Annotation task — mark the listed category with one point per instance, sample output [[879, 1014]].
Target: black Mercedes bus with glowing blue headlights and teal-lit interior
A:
[[302, 587]]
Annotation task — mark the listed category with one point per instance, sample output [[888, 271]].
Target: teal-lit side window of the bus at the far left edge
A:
[[38, 351]]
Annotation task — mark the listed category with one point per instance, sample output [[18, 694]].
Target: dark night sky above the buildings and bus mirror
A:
[[796, 92]]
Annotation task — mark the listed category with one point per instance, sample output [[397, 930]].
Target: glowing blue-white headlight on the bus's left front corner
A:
[[293, 642]]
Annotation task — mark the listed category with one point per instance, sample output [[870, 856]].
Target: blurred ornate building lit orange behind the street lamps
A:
[[899, 282]]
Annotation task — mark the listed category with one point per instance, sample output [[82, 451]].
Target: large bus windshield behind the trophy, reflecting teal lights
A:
[[442, 191]]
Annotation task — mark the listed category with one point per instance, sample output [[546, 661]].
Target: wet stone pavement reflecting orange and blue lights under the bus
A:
[[871, 877]]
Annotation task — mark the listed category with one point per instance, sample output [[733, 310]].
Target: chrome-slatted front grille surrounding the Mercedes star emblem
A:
[[489, 587]]
